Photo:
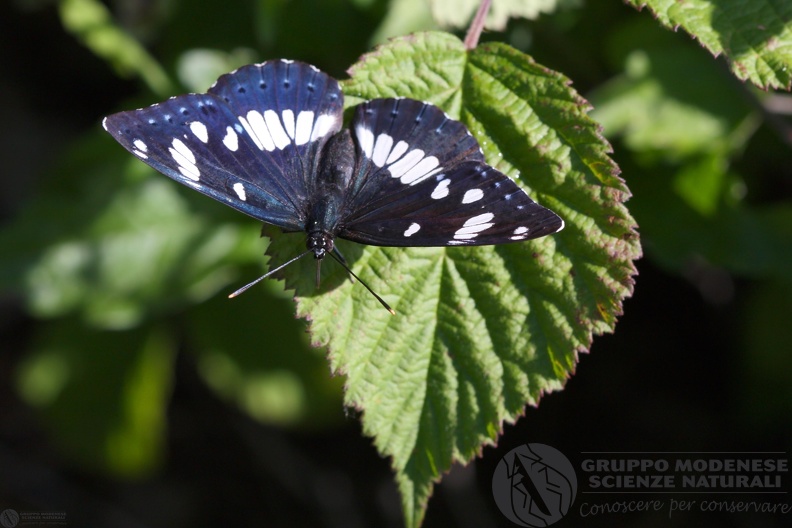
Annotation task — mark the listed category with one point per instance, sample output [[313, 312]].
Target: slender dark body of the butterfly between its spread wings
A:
[[334, 172]]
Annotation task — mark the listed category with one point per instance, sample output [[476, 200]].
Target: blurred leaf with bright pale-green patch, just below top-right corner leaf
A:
[[655, 112]]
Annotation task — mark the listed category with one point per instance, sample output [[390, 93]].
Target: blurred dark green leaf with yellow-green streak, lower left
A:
[[103, 395]]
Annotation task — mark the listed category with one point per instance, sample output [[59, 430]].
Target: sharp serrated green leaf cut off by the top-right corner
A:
[[755, 36]]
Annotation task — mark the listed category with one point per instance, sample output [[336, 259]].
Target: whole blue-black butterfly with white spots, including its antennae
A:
[[267, 140]]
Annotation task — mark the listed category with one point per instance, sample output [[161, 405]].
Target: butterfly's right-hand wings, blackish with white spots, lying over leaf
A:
[[422, 181]]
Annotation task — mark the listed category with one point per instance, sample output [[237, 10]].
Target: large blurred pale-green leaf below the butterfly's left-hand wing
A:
[[121, 243]]
